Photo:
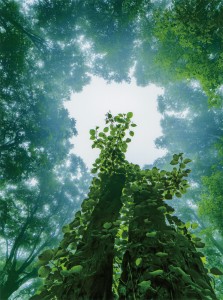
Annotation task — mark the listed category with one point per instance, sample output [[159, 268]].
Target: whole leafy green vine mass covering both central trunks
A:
[[125, 243]]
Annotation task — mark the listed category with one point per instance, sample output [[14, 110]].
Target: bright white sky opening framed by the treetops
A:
[[90, 106]]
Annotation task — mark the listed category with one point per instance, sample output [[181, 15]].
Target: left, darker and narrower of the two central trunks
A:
[[96, 251]]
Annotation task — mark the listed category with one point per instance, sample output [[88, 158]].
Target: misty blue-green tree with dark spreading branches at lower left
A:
[[40, 205]]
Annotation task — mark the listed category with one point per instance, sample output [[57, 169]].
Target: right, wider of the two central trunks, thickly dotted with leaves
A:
[[161, 261]]
